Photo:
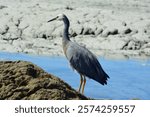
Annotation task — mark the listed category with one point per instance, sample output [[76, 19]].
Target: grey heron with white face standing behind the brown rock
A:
[[80, 58]]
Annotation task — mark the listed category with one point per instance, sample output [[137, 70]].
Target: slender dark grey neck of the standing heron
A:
[[66, 28]]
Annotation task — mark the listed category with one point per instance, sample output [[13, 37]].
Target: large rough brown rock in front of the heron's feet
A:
[[24, 80]]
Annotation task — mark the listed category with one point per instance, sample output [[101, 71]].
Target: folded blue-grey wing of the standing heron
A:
[[86, 63]]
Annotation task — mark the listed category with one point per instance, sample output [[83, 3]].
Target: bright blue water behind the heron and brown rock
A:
[[128, 78]]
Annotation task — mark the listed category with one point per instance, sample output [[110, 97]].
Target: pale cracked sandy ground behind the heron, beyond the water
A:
[[110, 28]]
